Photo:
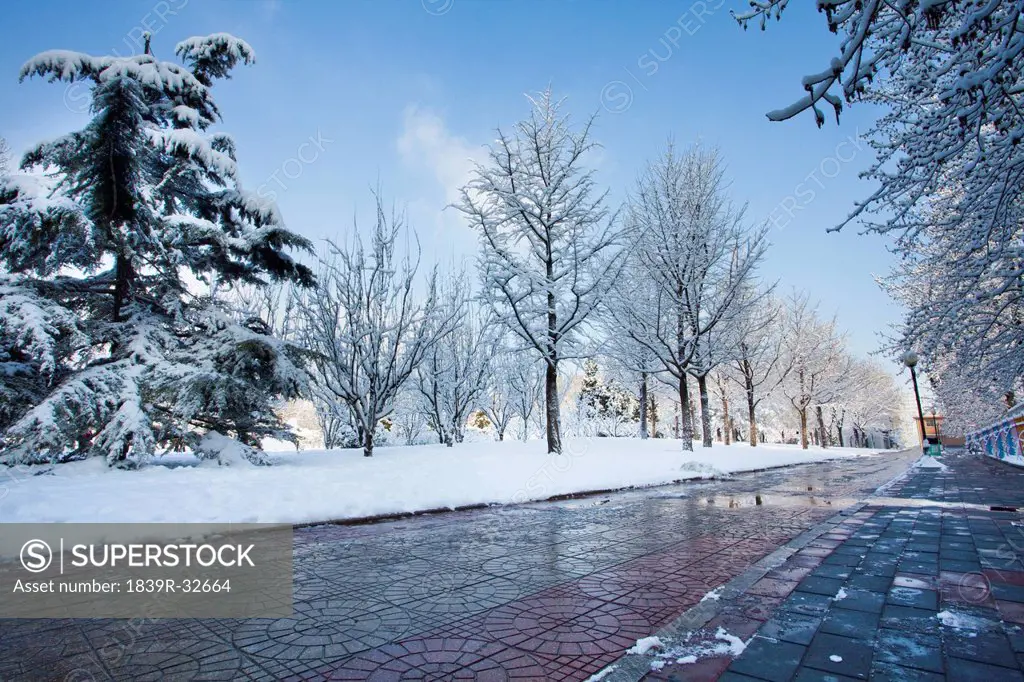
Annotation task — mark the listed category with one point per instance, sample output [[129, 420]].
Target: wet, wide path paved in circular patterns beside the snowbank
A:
[[547, 591]]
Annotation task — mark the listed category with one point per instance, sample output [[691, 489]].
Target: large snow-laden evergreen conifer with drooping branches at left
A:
[[99, 235]]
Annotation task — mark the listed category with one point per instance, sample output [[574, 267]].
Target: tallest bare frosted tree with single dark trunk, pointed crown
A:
[[548, 241]]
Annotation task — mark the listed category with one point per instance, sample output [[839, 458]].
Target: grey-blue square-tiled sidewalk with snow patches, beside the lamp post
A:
[[923, 582]]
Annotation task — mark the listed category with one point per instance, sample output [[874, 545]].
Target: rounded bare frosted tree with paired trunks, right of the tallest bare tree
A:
[[692, 242]]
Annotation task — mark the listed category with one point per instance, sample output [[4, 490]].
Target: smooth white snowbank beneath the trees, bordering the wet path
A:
[[320, 486]]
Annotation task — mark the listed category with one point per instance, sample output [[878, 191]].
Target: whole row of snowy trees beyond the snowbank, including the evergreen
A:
[[150, 304]]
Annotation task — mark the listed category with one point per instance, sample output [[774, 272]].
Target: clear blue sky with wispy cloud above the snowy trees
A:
[[349, 95]]
